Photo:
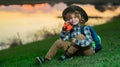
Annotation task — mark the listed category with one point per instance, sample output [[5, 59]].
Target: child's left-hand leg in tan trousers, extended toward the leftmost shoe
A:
[[57, 45]]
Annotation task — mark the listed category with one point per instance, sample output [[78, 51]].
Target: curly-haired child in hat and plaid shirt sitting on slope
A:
[[75, 17]]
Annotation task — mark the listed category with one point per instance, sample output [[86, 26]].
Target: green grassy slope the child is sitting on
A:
[[109, 56]]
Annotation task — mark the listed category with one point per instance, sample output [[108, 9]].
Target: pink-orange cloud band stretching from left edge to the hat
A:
[[28, 8]]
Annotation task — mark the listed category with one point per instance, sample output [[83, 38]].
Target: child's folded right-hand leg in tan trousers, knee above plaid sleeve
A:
[[74, 49]]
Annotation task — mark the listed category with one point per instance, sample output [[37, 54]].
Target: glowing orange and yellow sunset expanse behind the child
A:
[[30, 18]]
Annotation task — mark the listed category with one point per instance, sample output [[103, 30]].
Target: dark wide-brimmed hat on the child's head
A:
[[73, 8]]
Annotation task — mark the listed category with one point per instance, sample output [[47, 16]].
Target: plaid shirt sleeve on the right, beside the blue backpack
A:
[[87, 41]]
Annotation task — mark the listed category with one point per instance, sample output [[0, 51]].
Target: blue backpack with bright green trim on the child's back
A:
[[96, 38]]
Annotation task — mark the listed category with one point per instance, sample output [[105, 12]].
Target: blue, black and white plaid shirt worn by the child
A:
[[66, 35]]
